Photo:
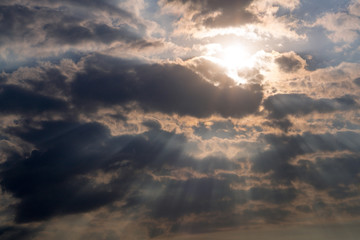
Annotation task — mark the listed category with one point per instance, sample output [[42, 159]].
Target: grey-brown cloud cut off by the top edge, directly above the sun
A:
[[232, 12]]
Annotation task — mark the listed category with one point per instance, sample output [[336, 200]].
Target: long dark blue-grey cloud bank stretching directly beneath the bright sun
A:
[[166, 88]]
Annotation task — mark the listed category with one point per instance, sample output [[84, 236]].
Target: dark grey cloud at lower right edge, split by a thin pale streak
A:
[[328, 173]]
